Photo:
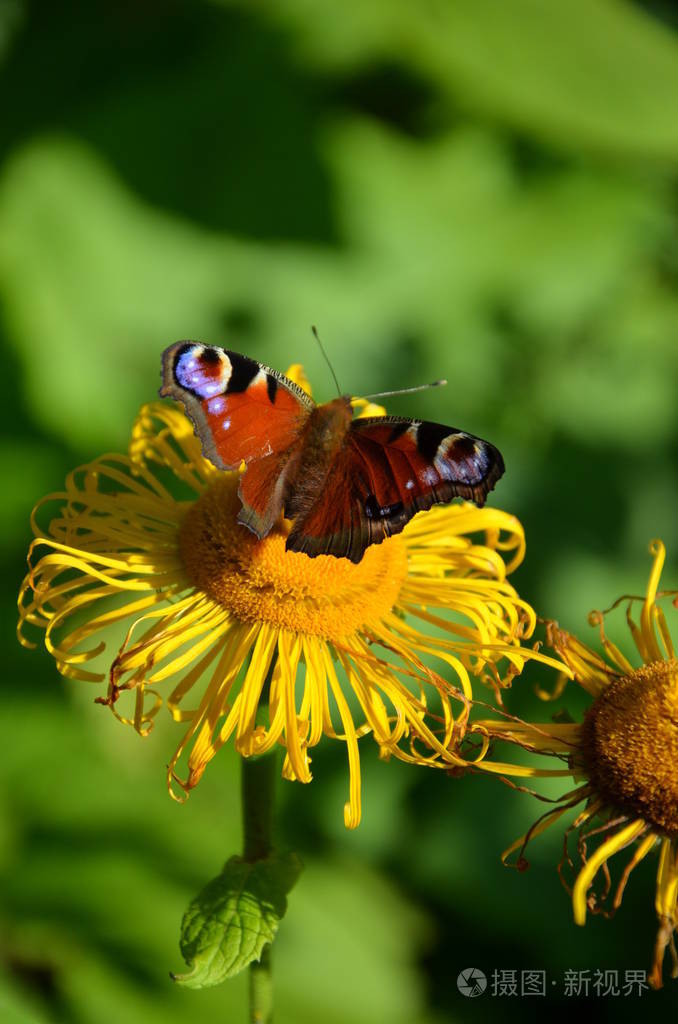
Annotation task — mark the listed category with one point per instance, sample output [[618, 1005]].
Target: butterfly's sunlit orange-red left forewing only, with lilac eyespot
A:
[[240, 409]]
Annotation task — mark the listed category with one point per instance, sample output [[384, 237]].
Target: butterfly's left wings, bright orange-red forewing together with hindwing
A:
[[242, 412]]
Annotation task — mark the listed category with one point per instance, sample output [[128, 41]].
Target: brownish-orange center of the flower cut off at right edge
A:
[[630, 745]]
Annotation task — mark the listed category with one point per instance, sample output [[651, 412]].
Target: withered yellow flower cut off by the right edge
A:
[[626, 751]]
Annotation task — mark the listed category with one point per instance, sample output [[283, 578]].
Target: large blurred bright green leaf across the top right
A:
[[558, 70]]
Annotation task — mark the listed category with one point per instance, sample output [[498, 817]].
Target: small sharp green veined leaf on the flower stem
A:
[[231, 921]]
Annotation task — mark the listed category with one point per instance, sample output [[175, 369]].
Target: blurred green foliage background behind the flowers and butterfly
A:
[[481, 190]]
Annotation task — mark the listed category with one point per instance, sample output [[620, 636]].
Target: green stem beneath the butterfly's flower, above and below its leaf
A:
[[259, 784]]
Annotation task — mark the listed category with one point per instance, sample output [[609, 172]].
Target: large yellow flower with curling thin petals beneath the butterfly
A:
[[240, 638]]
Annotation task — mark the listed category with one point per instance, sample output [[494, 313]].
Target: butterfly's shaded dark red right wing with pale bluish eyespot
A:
[[389, 471]]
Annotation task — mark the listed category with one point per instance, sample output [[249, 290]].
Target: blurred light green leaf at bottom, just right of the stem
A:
[[351, 950]]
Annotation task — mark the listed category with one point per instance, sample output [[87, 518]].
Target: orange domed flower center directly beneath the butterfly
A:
[[260, 581]]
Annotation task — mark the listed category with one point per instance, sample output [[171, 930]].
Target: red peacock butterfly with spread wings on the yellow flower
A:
[[346, 483]]
